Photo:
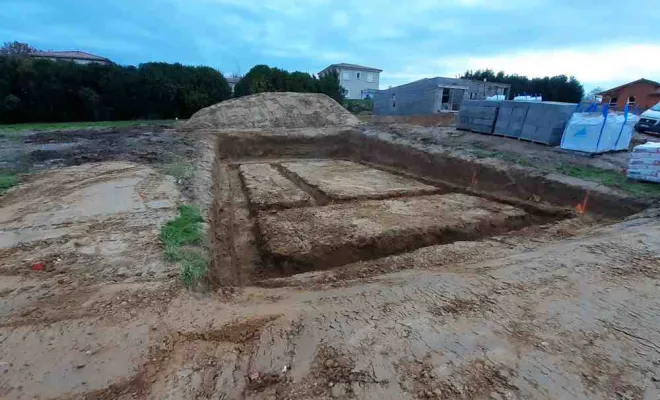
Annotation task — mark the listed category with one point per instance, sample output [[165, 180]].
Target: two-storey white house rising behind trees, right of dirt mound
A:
[[358, 81]]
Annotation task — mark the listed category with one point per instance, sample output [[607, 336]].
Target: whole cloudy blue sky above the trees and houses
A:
[[603, 43]]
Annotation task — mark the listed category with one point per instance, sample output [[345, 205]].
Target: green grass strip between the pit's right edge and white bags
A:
[[611, 178]]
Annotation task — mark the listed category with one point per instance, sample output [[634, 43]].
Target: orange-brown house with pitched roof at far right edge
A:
[[642, 93]]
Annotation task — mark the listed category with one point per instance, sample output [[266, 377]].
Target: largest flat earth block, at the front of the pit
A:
[[302, 239]]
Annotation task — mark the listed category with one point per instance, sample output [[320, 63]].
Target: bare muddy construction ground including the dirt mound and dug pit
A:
[[346, 260]]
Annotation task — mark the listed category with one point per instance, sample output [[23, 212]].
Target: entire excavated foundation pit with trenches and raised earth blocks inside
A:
[[291, 203]]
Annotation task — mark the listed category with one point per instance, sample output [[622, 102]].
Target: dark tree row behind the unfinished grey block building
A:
[[555, 88]]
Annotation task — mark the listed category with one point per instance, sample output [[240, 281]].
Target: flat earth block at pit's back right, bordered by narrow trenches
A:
[[345, 180]]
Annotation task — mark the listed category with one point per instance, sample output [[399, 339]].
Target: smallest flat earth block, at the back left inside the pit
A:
[[267, 188]]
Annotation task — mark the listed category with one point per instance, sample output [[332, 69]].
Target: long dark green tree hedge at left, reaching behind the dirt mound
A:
[[41, 90]]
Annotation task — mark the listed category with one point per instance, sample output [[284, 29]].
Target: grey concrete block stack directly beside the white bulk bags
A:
[[545, 122]]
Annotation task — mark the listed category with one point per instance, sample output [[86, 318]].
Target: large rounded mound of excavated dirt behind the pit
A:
[[273, 110]]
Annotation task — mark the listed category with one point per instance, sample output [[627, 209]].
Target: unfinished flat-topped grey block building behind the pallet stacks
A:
[[434, 95]]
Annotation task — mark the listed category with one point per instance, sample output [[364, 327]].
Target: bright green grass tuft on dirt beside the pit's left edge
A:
[[185, 230]]
